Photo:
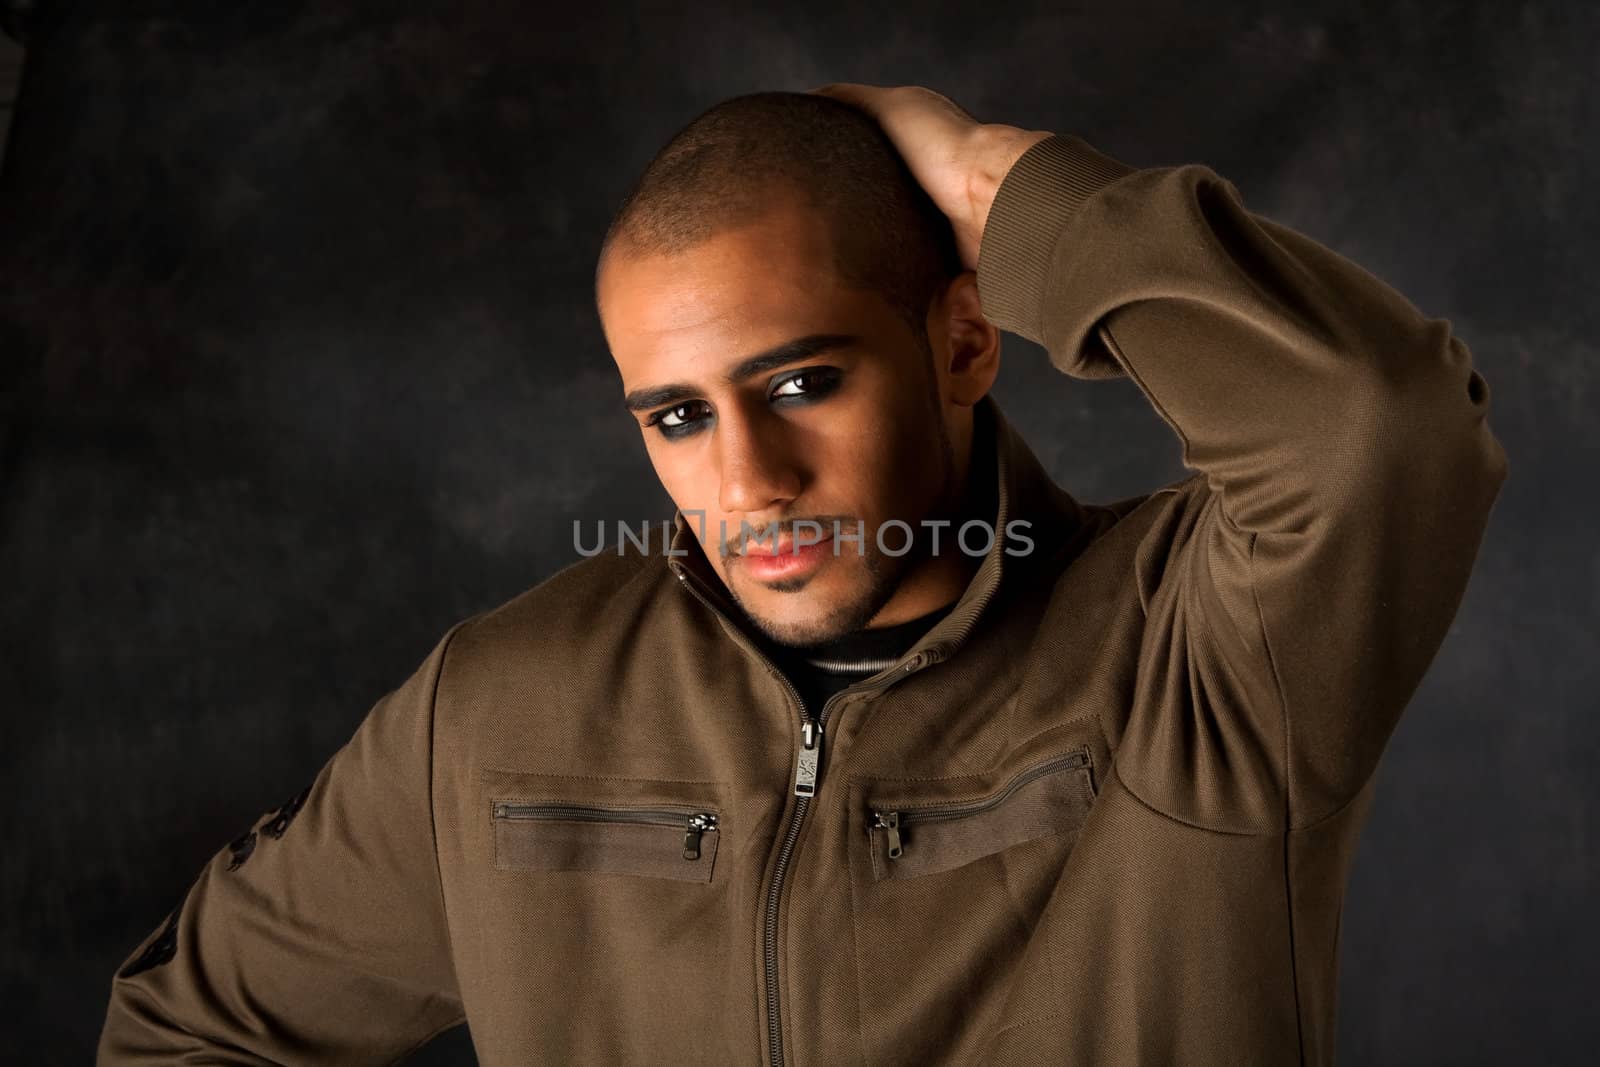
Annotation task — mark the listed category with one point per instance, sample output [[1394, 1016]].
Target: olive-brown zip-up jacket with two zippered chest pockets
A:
[[1103, 813]]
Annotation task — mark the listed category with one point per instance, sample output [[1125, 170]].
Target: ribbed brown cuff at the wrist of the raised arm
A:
[[1036, 201]]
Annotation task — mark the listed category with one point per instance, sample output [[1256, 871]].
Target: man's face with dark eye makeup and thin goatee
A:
[[772, 394]]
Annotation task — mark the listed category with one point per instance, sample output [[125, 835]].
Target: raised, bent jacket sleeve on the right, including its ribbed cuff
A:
[[1345, 473]]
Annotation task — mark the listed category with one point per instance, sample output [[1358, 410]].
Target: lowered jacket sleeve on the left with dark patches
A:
[[319, 935]]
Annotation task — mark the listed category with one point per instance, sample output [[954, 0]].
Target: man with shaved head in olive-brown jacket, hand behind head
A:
[[806, 788]]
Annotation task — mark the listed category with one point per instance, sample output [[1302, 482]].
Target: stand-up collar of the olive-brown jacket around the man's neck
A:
[[1025, 500]]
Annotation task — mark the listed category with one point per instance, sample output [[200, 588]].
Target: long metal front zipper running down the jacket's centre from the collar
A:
[[809, 770]]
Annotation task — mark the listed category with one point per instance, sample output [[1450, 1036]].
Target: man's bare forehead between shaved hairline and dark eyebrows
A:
[[735, 294]]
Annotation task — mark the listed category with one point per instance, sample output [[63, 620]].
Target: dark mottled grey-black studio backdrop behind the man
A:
[[300, 367]]
